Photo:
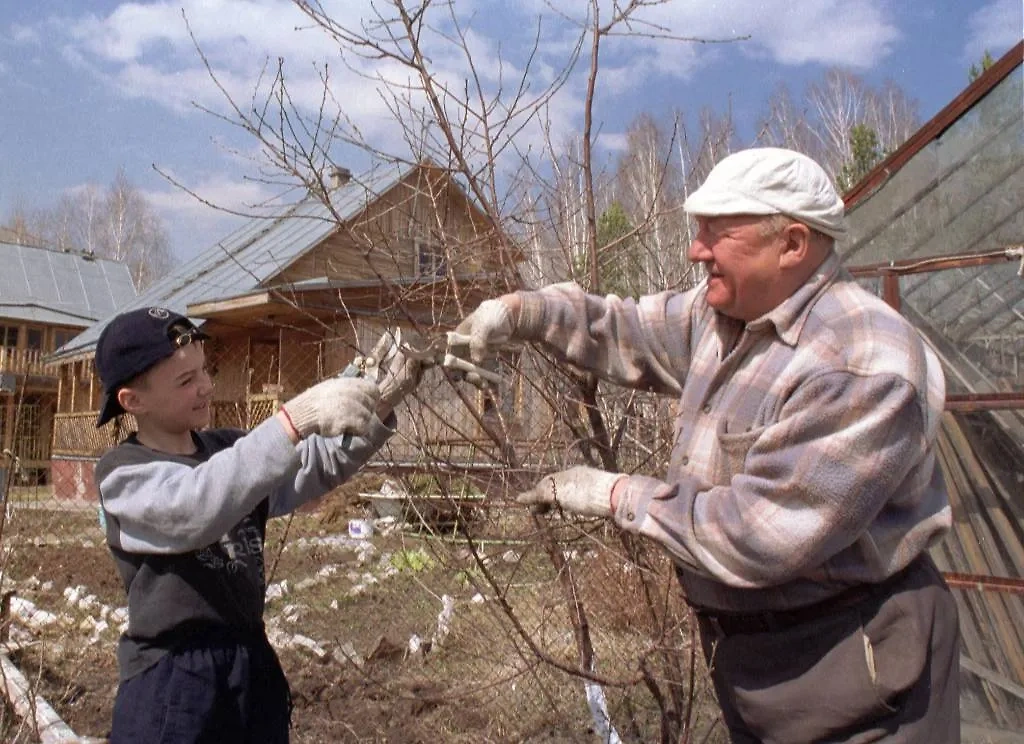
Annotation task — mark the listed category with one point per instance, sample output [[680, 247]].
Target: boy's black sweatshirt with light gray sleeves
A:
[[187, 533]]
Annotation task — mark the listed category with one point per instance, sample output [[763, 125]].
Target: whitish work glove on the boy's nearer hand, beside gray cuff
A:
[[335, 407]]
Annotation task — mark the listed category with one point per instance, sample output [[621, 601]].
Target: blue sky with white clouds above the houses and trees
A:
[[94, 86]]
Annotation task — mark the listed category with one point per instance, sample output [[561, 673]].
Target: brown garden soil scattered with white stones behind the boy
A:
[[358, 627]]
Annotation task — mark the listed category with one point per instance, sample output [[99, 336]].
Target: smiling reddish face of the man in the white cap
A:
[[743, 265]]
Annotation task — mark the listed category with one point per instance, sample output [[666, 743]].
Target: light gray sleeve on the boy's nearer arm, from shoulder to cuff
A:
[[169, 506]]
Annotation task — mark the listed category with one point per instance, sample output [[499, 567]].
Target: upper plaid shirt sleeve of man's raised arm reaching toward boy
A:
[[643, 344]]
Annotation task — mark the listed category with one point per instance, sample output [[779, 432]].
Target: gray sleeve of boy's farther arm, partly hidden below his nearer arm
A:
[[328, 462]]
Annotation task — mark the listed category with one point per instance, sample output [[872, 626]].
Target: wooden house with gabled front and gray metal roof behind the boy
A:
[[292, 297]]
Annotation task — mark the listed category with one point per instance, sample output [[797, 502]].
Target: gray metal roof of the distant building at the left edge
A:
[[56, 287]]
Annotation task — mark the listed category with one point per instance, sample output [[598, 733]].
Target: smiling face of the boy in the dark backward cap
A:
[[174, 396]]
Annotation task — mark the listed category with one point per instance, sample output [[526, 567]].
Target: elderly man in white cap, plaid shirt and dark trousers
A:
[[803, 490]]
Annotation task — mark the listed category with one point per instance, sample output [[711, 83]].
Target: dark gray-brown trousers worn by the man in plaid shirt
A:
[[884, 670]]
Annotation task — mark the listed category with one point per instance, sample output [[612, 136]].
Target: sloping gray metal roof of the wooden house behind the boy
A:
[[255, 253]]
